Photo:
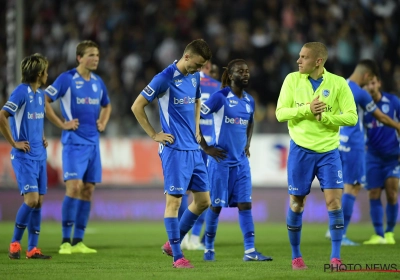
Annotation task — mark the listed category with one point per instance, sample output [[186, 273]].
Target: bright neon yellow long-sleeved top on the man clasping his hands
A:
[[294, 107]]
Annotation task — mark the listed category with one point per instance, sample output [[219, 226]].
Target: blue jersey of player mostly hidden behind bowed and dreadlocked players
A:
[[208, 86]]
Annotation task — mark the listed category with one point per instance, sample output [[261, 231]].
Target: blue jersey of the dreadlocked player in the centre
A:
[[232, 116]]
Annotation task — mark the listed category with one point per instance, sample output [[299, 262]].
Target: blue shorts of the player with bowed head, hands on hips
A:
[[183, 171]]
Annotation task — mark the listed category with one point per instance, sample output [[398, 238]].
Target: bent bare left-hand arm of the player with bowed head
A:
[[141, 116]]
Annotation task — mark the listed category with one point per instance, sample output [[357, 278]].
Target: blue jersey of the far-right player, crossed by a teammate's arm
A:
[[381, 139]]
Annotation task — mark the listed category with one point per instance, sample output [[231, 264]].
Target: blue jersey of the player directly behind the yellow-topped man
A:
[[352, 137]]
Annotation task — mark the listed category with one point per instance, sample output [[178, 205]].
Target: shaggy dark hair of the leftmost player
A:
[[32, 66]]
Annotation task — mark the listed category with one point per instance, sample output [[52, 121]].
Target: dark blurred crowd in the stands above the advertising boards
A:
[[138, 38]]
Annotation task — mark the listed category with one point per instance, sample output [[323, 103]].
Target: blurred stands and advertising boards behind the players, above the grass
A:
[[138, 38]]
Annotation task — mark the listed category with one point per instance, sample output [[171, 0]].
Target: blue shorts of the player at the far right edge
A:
[[379, 169]]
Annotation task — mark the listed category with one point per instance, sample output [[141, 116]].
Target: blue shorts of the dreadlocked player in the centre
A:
[[229, 185]]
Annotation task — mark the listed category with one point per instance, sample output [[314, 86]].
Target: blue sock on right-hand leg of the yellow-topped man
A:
[[336, 226]]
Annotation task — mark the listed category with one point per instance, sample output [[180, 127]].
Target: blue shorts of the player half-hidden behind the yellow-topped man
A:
[[353, 163]]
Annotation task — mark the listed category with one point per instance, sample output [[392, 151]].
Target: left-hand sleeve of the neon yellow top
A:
[[284, 109]]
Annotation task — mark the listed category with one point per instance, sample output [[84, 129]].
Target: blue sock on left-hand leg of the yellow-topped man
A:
[[294, 224]]
